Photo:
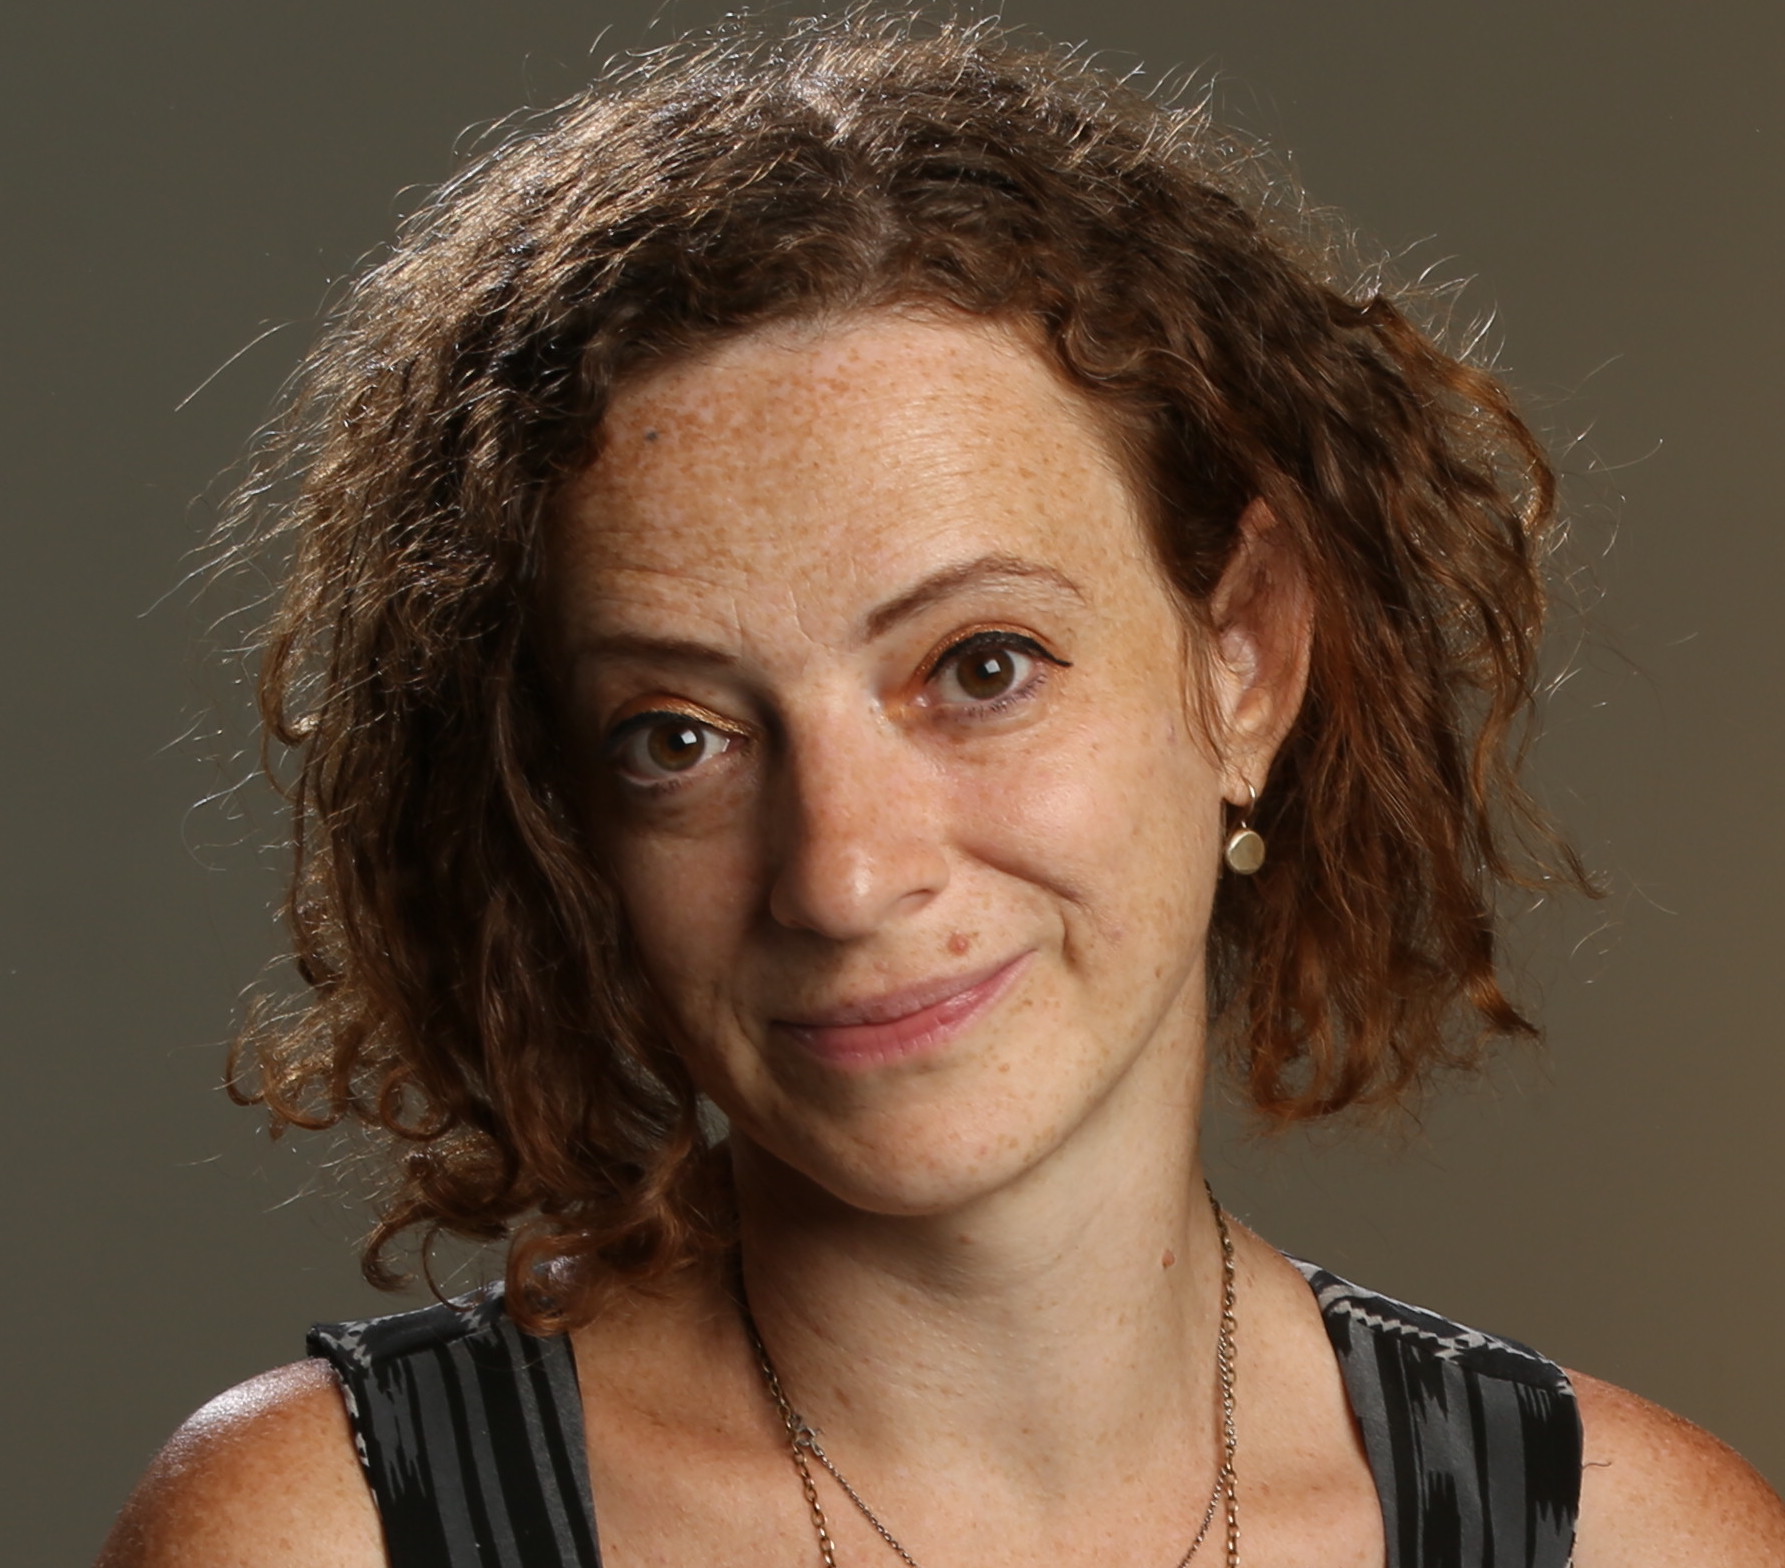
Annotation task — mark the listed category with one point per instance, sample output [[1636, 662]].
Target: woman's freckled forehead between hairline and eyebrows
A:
[[820, 463]]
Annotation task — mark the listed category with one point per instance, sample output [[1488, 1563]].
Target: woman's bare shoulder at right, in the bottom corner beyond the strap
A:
[[1659, 1492]]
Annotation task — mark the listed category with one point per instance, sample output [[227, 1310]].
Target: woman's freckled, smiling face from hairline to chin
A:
[[892, 749]]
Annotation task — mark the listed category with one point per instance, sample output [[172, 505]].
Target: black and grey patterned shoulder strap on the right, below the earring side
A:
[[1475, 1442]]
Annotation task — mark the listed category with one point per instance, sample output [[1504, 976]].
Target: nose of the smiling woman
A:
[[858, 837]]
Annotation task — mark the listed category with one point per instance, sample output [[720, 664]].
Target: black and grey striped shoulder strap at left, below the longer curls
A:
[[472, 1437]]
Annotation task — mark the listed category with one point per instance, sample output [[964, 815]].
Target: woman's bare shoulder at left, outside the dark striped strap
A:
[[262, 1478]]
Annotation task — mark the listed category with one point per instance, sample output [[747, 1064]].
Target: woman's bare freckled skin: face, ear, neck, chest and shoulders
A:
[[984, 1267]]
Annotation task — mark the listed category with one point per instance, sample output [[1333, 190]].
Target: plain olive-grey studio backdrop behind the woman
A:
[[187, 185]]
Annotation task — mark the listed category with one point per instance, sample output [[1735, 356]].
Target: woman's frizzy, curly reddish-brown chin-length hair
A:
[[467, 981]]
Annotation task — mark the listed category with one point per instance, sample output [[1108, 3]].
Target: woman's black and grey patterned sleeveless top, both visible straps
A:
[[472, 1435]]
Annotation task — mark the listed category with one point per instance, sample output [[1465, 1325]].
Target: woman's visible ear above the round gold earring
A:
[[1263, 622]]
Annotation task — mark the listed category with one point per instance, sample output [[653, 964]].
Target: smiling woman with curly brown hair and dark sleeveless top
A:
[[872, 587]]
